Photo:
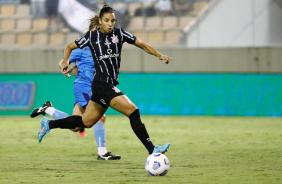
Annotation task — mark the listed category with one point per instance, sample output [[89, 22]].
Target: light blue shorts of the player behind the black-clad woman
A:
[[82, 93]]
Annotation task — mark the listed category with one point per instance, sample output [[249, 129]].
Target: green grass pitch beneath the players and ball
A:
[[203, 150]]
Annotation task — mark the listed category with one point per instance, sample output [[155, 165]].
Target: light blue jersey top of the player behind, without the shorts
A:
[[85, 65]]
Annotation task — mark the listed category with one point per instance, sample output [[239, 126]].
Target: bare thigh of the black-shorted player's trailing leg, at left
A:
[[92, 114]]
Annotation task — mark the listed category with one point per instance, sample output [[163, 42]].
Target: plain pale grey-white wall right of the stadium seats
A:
[[240, 23]]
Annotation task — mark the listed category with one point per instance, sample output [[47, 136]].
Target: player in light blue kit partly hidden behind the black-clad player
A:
[[83, 70]]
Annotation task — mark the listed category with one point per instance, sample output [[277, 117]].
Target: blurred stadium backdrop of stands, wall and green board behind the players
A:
[[226, 55]]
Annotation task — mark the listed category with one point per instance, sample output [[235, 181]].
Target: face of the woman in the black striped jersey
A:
[[107, 23]]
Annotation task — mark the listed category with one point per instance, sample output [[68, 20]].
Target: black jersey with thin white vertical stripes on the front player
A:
[[106, 52]]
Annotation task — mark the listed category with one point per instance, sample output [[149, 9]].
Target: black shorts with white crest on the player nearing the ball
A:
[[103, 93]]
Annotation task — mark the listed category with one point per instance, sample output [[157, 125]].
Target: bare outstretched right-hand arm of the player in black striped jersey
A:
[[149, 49]]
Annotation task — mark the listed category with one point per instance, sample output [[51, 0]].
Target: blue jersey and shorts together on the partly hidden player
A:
[[84, 76]]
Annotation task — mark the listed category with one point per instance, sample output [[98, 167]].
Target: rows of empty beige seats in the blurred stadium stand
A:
[[17, 26]]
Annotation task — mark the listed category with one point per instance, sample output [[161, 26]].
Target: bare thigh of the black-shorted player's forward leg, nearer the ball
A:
[[123, 105]]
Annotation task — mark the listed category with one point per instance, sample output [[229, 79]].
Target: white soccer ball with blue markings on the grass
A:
[[157, 164]]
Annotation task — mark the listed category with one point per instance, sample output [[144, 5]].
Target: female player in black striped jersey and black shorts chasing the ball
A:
[[106, 45]]
